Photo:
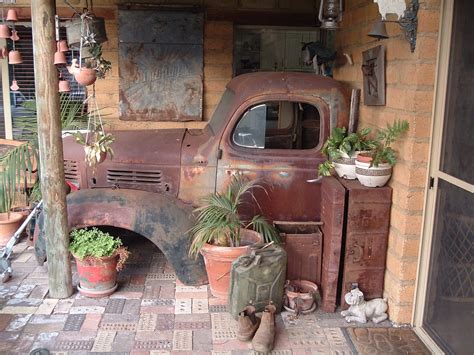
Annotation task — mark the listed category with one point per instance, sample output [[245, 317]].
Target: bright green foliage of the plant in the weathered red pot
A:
[[94, 243]]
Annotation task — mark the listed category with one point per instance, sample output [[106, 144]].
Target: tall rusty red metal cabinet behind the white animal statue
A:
[[367, 221]]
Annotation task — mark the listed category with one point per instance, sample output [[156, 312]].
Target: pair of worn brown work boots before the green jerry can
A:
[[264, 329]]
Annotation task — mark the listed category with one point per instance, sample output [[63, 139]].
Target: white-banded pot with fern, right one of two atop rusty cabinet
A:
[[374, 168]]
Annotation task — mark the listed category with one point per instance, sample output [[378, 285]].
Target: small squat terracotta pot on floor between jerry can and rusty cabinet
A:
[[302, 298]]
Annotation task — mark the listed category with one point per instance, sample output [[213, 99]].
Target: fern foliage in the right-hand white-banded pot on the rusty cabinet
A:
[[383, 152]]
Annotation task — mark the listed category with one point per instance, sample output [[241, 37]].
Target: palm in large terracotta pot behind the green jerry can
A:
[[221, 234]]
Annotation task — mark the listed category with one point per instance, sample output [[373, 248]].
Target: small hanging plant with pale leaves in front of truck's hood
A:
[[96, 146]]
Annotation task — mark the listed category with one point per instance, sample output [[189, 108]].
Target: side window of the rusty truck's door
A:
[[278, 125]]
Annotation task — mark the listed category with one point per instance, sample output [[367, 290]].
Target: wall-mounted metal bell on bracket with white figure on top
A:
[[407, 19]]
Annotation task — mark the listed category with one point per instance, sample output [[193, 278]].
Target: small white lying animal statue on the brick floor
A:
[[361, 310]]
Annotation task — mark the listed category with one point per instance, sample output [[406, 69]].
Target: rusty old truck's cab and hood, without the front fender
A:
[[269, 126]]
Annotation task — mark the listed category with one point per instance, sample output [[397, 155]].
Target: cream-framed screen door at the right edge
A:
[[445, 296]]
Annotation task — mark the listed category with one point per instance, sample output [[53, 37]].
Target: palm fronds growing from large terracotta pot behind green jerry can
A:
[[218, 220]]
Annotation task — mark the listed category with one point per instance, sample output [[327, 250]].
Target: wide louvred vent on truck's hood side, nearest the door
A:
[[135, 178]]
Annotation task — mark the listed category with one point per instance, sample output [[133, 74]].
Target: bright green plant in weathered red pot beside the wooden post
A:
[[98, 257]]
